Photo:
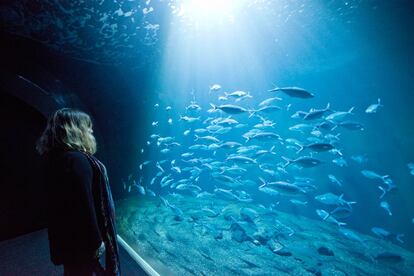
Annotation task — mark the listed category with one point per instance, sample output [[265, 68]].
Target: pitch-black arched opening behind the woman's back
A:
[[21, 195]]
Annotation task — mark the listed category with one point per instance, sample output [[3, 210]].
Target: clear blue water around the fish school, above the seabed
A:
[[348, 54]]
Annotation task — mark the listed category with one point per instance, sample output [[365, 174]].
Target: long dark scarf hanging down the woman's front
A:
[[105, 213]]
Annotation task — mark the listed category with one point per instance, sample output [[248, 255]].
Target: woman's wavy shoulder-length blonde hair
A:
[[67, 129]]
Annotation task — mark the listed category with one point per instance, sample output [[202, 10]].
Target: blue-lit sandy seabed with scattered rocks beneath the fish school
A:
[[218, 237]]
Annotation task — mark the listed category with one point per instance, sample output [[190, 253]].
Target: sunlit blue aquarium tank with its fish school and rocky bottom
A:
[[279, 141]]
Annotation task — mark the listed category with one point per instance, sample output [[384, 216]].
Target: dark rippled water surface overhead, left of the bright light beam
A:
[[97, 31]]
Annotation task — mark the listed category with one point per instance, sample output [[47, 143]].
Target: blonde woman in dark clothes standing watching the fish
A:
[[81, 212]]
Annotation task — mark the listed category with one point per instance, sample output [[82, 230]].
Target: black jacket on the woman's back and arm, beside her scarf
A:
[[73, 229]]
